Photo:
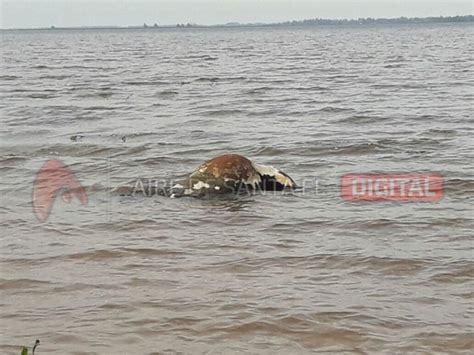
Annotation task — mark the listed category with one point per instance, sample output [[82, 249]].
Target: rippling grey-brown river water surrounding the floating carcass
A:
[[289, 273]]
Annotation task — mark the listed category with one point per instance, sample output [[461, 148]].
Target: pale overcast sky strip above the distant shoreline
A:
[[44, 13]]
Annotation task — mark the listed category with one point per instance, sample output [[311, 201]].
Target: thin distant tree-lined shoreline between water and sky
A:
[[305, 23]]
